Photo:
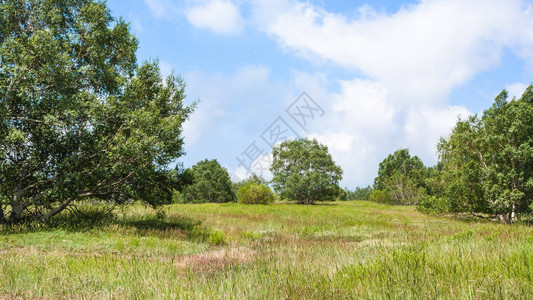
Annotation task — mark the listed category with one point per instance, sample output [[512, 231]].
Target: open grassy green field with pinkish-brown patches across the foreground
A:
[[342, 250]]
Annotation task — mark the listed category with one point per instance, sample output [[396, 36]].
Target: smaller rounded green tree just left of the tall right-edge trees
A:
[[401, 178]]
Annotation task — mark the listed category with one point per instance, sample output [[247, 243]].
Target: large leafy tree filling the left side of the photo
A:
[[78, 117]]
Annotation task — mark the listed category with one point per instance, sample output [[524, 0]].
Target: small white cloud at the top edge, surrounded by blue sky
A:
[[219, 16]]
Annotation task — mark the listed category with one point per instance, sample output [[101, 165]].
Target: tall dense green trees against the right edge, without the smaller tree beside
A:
[[488, 161]]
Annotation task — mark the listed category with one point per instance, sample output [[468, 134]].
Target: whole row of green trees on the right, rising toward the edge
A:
[[485, 166]]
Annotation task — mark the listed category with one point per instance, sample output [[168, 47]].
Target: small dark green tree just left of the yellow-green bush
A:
[[211, 183]]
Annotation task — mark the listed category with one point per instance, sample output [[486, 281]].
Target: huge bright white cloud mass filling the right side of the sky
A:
[[410, 61]]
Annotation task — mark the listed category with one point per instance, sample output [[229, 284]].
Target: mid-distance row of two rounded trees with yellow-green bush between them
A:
[[303, 171]]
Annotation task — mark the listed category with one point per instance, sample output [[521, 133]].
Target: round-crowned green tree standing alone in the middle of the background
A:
[[304, 171]]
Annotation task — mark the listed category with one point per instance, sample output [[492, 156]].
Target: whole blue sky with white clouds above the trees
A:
[[378, 75]]
